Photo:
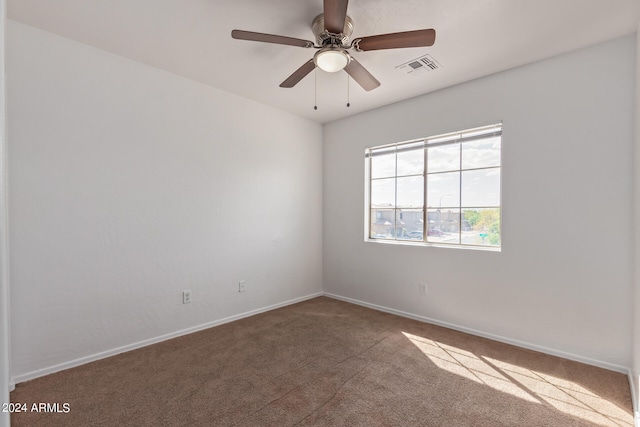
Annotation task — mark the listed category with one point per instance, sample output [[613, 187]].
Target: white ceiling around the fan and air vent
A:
[[192, 39]]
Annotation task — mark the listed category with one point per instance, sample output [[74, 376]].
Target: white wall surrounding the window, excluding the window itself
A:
[[562, 282]]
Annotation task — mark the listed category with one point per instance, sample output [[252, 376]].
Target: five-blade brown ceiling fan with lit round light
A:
[[332, 30]]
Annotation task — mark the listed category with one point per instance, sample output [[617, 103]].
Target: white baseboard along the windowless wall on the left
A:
[[108, 353]]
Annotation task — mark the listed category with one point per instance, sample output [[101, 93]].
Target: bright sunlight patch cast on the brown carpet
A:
[[535, 387]]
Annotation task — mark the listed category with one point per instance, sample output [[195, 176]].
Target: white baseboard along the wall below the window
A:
[[517, 343]]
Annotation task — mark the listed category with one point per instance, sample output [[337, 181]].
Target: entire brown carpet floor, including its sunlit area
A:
[[324, 362]]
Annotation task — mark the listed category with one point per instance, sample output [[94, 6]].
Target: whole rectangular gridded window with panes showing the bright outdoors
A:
[[441, 190]]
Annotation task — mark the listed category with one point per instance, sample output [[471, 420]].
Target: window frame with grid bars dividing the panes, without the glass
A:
[[458, 138]]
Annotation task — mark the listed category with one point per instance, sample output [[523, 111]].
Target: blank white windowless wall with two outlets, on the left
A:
[[128, 185]]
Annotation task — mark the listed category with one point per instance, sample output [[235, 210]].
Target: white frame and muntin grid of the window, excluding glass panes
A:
[[458, 137]]
